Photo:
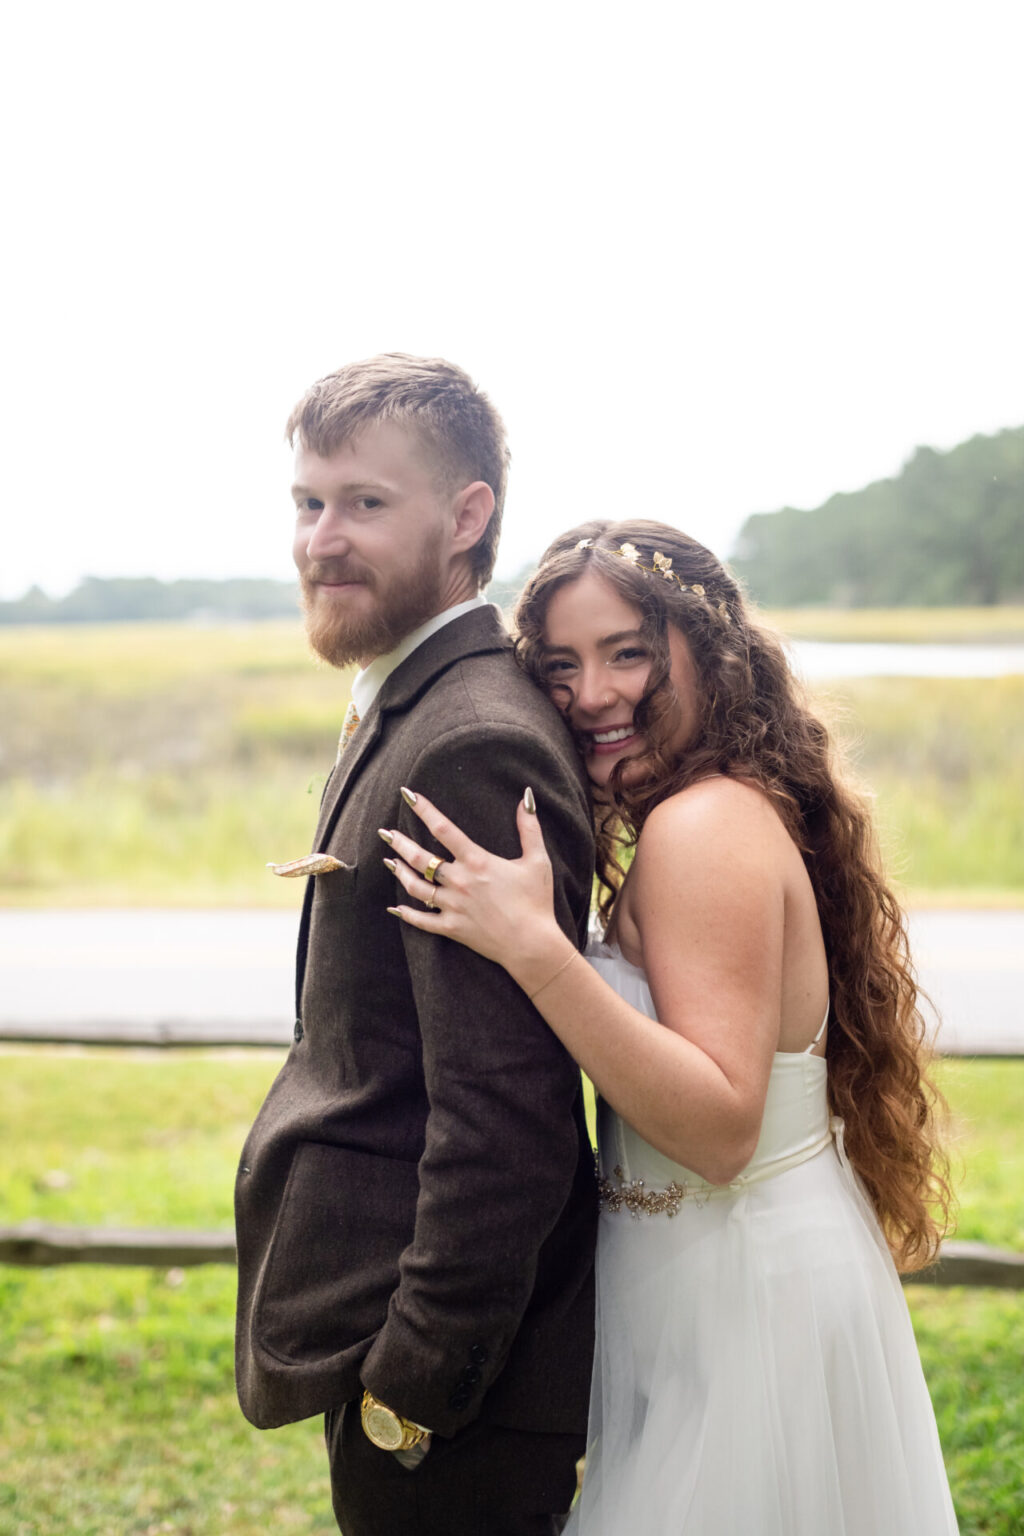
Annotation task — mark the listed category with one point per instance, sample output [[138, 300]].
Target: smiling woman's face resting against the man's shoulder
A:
[[598, 663]]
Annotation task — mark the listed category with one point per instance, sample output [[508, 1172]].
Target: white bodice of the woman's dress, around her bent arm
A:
[[794, 1128]]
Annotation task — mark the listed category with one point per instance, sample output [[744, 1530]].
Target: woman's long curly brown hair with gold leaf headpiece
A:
[[756, 724]]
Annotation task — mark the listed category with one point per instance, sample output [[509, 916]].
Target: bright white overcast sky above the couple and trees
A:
[[707, 259]]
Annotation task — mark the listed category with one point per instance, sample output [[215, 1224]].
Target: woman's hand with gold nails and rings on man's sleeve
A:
[[504, 909]]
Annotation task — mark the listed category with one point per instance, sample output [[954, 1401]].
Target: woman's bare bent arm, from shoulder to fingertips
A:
[[707, 899]]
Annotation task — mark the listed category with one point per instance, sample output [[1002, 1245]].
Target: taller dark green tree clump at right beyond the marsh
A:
[[948, 531]]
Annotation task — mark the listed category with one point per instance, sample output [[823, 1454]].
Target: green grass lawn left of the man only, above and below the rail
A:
[[117, 1409]]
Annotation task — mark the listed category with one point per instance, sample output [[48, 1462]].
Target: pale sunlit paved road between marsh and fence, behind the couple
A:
[[234, 973]]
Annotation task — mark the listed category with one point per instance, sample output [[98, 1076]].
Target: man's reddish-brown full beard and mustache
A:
[[345, 638]]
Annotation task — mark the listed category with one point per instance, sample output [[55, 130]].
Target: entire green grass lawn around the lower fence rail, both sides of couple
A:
[[117, 1409]]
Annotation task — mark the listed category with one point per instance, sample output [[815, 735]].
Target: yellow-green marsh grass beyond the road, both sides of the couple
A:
[[167, 764]]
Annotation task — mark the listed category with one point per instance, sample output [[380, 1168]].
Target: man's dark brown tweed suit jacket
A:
[[417, 1203]]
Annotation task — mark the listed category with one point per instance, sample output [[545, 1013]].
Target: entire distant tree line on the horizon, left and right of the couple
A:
[[948, 531]]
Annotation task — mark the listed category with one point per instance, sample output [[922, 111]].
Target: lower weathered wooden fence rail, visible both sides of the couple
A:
[[38, 1245]]
